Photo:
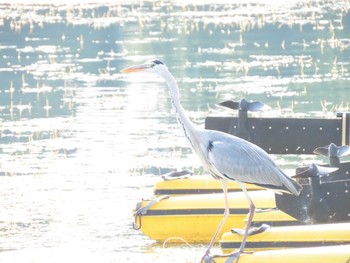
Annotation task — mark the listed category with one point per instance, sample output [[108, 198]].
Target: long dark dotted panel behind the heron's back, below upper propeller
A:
[[285, 135]]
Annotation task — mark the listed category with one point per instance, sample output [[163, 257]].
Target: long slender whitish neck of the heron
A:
[[185, 123]]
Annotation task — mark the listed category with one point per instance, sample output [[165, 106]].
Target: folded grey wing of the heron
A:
[[239, 160]]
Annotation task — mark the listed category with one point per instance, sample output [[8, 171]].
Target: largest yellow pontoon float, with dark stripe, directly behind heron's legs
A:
[[195, 218]]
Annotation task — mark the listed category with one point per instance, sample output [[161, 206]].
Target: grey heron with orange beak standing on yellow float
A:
[[224, 156]]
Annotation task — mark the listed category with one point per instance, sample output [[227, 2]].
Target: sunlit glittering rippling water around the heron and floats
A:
[[80, 143]]
